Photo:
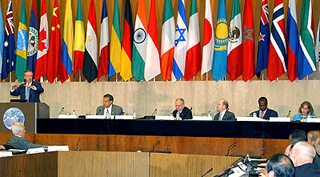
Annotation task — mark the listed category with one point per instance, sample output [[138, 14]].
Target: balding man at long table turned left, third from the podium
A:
[[223, 111]]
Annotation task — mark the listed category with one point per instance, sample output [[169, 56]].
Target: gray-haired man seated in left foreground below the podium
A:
[[18, 140]]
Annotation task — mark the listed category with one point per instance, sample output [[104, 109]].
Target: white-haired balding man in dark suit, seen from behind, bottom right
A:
[[302, 155]]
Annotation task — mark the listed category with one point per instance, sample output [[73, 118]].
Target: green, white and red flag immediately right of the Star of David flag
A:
[[193, 57]]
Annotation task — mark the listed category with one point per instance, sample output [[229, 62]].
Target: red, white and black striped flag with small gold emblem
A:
[[90, 67]]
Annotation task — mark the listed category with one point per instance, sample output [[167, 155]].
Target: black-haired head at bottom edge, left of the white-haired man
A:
[[280, 165]]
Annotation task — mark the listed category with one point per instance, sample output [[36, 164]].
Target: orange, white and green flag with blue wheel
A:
[[139, 42]]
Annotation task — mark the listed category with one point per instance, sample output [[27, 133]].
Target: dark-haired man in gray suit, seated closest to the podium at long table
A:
[[108, 107]]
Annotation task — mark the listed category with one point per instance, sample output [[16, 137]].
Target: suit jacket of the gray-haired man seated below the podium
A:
[[22, 143]]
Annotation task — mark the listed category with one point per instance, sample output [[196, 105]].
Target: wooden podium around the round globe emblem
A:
[[31, 112]]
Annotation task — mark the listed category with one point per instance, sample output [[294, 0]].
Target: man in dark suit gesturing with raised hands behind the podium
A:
[[29, 90]]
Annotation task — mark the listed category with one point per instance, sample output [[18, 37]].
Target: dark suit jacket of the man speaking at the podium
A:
[[33, 94]]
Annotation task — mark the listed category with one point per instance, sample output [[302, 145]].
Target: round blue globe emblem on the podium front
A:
[[11, 116]]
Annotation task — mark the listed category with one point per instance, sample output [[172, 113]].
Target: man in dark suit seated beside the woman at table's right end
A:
[[264, 112]]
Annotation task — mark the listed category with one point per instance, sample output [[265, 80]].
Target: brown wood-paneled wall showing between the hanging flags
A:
[[160, 6]]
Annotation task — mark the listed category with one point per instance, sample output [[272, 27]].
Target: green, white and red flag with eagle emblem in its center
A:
[[234, 68]]
